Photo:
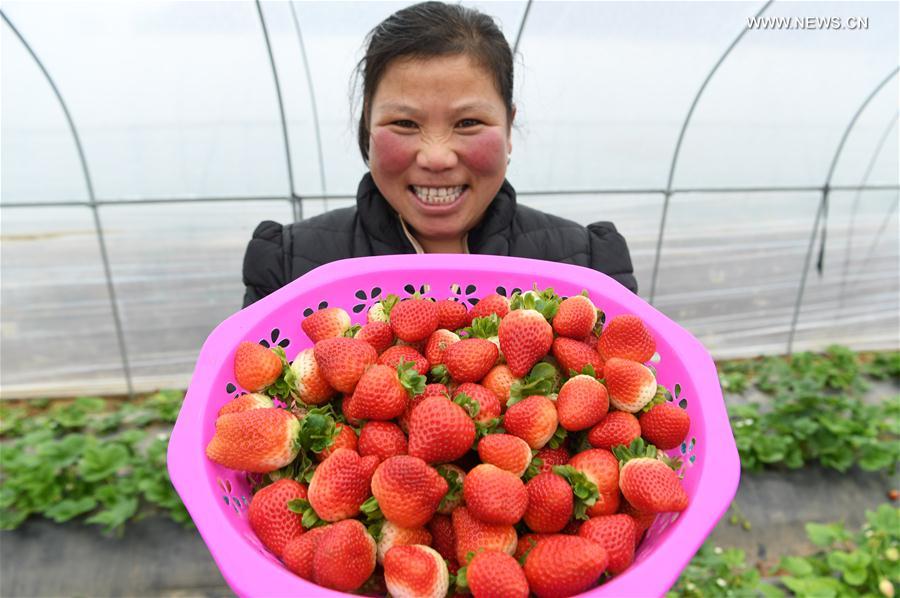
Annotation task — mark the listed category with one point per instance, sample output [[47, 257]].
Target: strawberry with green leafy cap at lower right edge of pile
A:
[[649, 484]]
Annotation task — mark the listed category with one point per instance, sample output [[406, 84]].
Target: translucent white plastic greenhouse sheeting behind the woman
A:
[[175, 102]]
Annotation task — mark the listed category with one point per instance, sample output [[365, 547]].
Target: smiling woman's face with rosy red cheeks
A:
[[439, 144]]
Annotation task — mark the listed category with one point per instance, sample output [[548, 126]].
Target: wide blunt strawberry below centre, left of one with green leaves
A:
[[494, 495]]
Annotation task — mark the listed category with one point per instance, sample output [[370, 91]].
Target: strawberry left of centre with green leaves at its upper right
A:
[[383, 392]]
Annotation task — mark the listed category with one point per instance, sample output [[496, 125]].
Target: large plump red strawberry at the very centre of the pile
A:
[[440, 431]]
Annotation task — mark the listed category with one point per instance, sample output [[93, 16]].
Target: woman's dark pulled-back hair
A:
[[430, 30]]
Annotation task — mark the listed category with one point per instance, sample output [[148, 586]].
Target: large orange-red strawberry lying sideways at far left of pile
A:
[[258, 441]]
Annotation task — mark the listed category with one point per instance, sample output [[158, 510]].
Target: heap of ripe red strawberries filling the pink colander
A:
[[505, 450]]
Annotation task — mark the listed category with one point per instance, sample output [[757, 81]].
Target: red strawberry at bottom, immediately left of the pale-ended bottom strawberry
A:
[[345, 556]]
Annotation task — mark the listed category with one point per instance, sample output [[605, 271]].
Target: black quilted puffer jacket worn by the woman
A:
[[280, 254]]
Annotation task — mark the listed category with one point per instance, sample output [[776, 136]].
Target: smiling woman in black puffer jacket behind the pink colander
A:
[[435, 132]]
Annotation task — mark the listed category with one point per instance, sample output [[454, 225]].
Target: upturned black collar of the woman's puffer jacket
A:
[[381, 221]]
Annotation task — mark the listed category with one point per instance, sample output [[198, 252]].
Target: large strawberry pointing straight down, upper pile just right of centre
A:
[[525, 338]]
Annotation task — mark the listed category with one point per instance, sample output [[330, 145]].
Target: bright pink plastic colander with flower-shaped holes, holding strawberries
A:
[[217, 498]]
